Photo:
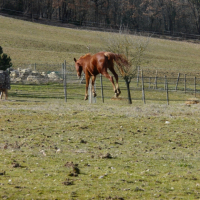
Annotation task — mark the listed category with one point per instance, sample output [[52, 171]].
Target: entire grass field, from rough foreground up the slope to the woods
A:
[[51, 149]]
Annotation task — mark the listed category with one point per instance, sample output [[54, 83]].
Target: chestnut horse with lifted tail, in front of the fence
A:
[[92, 65]]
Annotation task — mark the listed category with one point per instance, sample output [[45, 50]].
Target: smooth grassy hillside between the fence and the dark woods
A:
[[28, 42]]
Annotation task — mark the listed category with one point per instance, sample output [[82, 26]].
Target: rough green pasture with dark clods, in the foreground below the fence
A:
[[119, 151]]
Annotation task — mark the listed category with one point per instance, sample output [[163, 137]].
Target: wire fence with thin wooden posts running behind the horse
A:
[[54, 81]]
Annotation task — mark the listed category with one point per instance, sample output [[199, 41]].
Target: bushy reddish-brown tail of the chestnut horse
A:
[[121, 60]]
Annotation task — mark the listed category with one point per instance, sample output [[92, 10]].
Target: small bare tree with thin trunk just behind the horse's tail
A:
[[133, 48]]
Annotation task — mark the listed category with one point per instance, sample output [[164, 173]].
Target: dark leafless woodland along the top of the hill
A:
[[148, 15]]
